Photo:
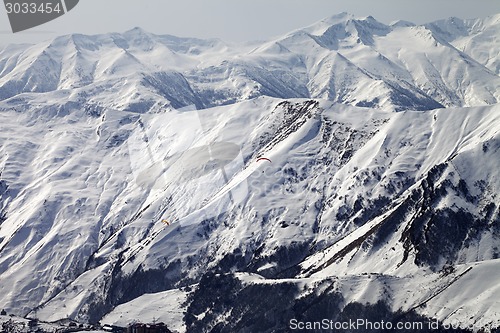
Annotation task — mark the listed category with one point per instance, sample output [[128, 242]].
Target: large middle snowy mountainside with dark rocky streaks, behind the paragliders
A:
[[83, 208]]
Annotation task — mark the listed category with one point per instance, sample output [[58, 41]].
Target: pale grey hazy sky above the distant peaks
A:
[[234, 20]]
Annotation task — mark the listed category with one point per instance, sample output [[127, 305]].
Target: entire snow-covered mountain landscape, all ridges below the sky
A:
[[345, 170]]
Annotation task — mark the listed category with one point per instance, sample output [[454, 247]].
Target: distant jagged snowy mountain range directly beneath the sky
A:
[[357, 61]]
